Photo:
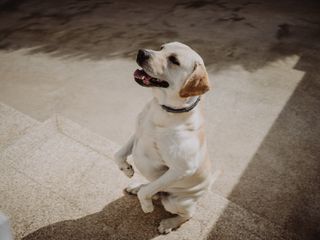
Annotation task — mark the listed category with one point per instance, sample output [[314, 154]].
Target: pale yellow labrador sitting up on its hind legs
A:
[[169, 145]]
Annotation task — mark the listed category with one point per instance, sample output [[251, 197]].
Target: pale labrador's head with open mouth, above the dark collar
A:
[[175, 71]]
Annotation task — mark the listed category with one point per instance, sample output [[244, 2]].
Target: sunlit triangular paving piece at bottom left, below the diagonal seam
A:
[[30, 205]]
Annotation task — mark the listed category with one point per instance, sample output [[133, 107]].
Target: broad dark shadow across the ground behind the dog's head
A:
[[249, 33]]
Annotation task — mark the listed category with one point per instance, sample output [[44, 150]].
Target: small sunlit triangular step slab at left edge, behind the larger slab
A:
[[13, 125]]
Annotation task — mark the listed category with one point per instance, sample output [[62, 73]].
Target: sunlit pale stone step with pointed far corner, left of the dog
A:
[[56, 172]]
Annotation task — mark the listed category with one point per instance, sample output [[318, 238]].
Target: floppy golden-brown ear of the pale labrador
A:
[[197, 84]]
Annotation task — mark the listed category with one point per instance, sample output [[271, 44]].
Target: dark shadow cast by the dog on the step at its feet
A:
[[120, 219]]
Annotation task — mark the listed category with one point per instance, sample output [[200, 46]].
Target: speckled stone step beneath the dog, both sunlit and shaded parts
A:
[[58, 181]]
